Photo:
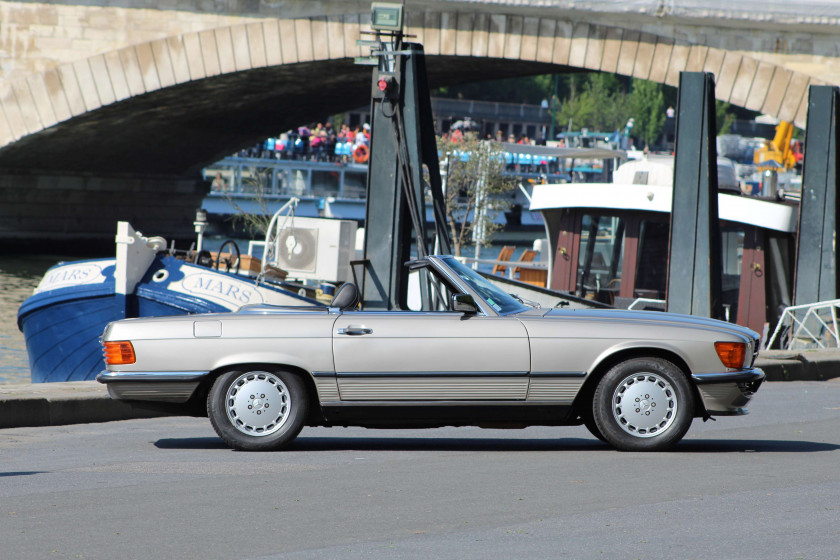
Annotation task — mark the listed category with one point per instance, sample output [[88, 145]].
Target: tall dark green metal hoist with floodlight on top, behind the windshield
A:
[[403, 164]]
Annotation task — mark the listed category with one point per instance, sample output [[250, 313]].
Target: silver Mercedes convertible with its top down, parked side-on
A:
[[467, 354]]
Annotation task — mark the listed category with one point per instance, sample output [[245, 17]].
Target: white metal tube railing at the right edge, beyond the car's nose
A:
[[811, 325]]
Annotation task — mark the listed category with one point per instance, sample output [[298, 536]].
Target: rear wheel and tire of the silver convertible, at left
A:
[[257, 410]]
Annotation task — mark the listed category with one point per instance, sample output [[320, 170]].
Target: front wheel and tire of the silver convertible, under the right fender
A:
[[661, 405]]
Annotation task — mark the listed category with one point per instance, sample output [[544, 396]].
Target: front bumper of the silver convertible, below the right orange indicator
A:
[[727, 394]]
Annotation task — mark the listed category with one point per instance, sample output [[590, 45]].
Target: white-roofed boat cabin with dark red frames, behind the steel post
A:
[[609, 241]]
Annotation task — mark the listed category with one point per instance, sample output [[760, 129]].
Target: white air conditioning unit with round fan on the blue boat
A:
[[317, 249]]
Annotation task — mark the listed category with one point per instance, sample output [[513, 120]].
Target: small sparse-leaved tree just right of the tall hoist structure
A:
[[475, 189]]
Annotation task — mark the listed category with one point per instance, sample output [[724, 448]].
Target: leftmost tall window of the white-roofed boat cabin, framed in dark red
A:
[[600, 257]]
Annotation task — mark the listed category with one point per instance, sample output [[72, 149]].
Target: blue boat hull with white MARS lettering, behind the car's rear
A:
[[63, 322]]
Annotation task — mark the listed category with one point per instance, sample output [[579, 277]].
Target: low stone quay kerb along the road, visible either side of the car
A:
[[80, 402]]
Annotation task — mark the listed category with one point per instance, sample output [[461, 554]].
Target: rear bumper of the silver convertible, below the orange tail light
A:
[[157, 386]]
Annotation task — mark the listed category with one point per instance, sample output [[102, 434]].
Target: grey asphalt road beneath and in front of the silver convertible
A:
[[764, 486]]
